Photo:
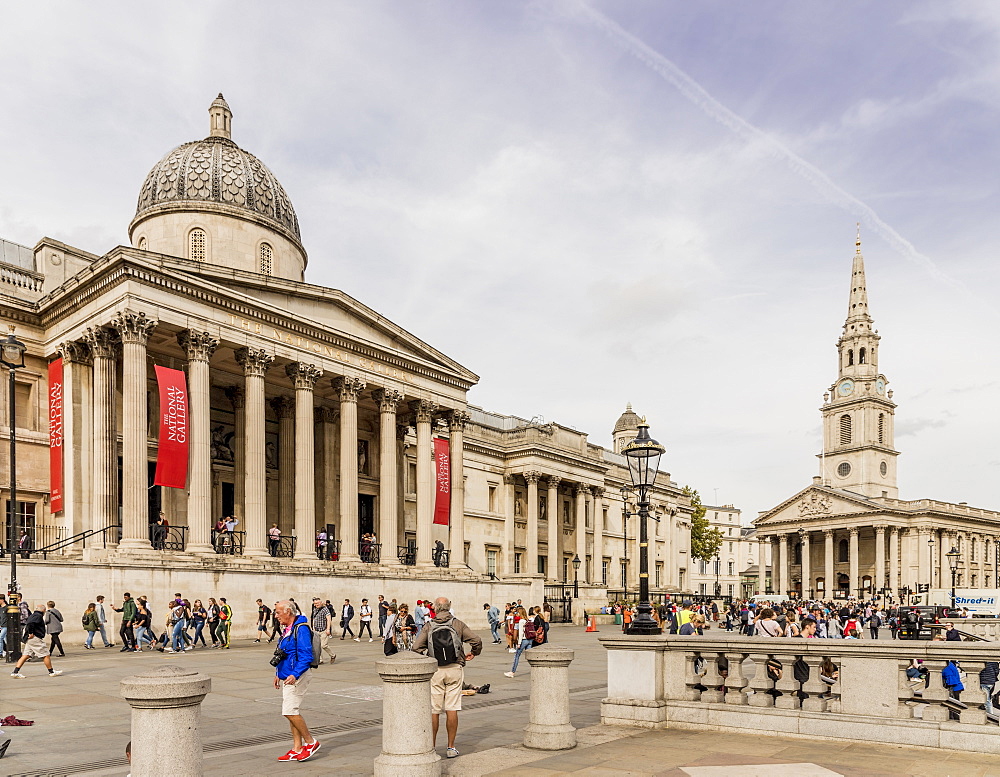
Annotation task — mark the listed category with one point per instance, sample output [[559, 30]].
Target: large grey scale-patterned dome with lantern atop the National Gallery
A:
[[215, 170]]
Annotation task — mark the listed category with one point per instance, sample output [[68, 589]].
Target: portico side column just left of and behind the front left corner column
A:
[[105, 470]]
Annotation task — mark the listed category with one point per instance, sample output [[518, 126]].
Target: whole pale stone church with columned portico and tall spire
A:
[[849, 533]]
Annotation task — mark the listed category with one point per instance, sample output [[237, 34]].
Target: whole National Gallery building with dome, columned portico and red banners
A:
[[338, 441]]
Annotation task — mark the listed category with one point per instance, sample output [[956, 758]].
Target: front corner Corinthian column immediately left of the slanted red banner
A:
[[134, 330]]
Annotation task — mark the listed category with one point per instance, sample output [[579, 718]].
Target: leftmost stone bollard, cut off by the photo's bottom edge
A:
[[166, 715]]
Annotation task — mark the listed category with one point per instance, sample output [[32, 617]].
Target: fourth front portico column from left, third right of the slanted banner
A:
[[304, 377]]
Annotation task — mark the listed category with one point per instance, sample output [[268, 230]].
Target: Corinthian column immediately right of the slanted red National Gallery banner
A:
[[199, 347]]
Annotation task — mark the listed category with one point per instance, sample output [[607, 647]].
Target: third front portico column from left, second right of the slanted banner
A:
[[255, 363]]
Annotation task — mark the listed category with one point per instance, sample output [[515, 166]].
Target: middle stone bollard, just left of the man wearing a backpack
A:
[[407, 745]]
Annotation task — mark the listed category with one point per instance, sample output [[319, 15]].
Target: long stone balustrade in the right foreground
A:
[[788, 687]]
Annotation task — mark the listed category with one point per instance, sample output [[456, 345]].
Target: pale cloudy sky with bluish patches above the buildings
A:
[[586, 203]]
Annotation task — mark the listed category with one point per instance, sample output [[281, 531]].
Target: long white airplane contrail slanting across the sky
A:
[[694, 92]]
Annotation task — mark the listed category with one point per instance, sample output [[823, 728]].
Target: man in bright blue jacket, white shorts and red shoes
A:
[[292, 660]]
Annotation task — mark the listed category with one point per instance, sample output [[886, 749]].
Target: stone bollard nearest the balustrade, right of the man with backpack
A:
[[548, 718]]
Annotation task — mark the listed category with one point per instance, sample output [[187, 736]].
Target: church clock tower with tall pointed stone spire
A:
[[858, 411]]
